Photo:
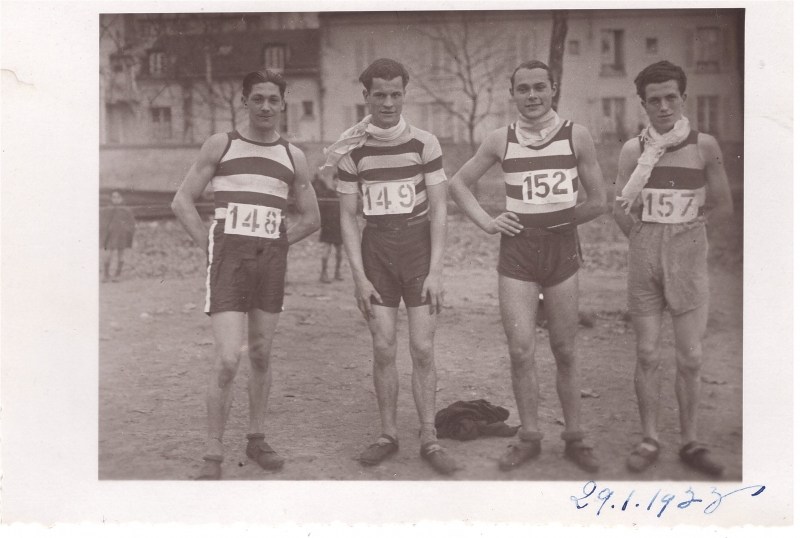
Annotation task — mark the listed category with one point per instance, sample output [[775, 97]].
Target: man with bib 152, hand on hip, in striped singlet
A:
[[543, 159]]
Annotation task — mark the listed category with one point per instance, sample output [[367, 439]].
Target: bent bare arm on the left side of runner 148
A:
[[193, 186]]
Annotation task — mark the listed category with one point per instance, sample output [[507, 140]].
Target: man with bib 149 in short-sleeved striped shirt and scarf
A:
[[398, 171]]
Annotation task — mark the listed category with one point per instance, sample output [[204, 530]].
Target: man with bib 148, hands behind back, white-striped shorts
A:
[[250, 172]]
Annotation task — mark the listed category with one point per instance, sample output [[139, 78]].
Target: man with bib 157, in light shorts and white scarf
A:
[[669, 177]]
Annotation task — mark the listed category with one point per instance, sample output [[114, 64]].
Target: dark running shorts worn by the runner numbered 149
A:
[[397, 263]]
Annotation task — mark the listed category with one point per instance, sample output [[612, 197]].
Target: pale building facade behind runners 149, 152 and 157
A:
[[604, 50]]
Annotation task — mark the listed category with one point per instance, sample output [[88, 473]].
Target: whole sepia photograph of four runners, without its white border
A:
[[473, 245]]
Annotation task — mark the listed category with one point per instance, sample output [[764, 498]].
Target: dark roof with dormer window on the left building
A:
[[238, 53]]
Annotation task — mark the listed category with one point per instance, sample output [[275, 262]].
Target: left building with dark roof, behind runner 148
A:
[[176, 79]]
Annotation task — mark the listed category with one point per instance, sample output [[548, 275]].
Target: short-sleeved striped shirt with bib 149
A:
[[388, 171]]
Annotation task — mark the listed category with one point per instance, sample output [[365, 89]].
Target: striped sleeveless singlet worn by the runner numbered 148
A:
[[254, 173]]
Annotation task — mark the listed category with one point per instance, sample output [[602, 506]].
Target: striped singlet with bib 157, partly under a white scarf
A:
[[676, 188]]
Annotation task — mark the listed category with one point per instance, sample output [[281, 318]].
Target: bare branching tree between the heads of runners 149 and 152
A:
[[472, 63]]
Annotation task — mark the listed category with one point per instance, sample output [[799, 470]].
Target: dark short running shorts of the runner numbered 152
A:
[[547, 258]]
